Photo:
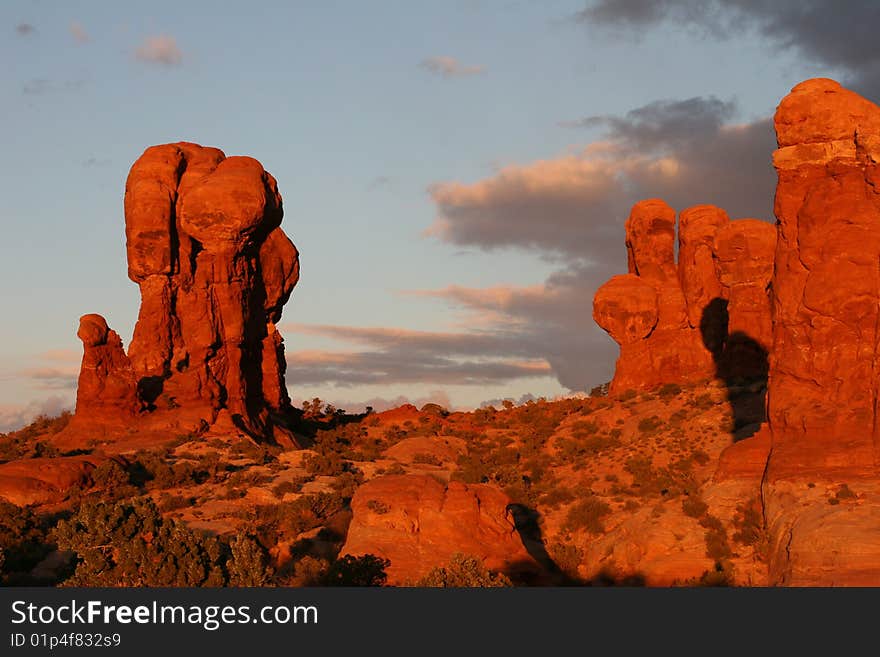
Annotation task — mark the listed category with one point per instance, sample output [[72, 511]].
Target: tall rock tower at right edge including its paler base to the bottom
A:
[[821, 491]]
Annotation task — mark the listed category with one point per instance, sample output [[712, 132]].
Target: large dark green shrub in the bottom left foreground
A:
[[130, 544]]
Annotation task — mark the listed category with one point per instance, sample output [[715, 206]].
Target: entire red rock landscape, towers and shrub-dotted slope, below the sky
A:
[[738, 444]]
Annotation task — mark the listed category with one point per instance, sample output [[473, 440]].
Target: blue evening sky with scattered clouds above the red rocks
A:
[[456, 175]]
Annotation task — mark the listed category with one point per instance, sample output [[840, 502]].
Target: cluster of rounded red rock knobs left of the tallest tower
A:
[[706, 315]]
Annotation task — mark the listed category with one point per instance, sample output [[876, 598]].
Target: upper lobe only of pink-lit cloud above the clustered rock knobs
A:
[[573, 206]]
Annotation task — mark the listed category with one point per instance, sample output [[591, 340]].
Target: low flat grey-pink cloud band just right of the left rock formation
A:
[[397, 356]]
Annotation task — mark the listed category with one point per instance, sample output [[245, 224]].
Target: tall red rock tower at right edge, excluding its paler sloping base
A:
[[824, 378]]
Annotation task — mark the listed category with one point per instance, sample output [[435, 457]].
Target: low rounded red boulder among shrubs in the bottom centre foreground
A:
[[418, 523]]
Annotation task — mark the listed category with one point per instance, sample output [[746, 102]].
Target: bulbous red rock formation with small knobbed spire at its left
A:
[[214, 268]]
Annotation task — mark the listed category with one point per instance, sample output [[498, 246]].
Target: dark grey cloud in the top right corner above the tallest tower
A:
[[827, 32]]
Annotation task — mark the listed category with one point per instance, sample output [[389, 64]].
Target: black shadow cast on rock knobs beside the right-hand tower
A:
[[742, 363]]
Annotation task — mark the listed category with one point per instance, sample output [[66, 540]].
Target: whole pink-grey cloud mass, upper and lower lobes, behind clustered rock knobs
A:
[[572, 209]]
